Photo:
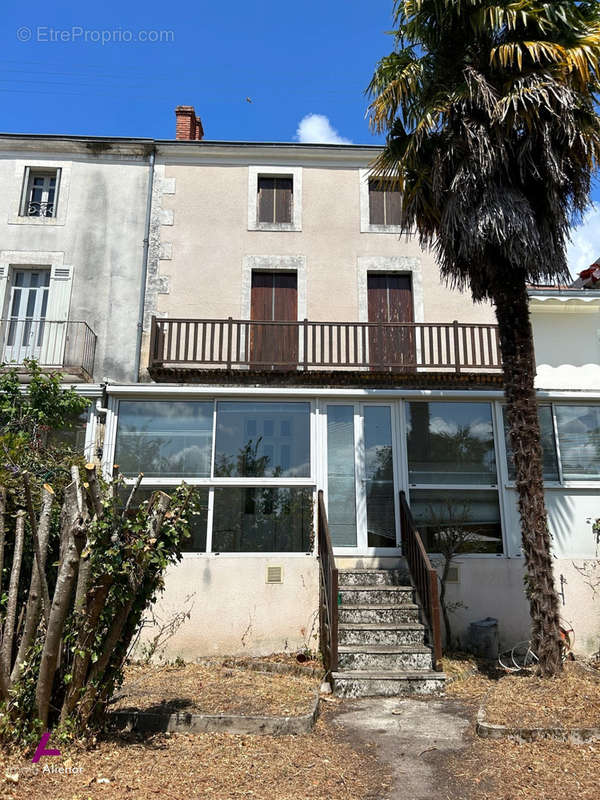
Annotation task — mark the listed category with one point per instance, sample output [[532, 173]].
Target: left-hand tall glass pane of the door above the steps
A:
[[341, 496]]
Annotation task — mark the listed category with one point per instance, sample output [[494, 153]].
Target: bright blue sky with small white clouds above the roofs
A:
[[292, 60]]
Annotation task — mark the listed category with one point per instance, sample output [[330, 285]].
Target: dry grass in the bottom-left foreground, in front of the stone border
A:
[[321, 765]]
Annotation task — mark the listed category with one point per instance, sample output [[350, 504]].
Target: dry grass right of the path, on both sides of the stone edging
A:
[[545, 770]]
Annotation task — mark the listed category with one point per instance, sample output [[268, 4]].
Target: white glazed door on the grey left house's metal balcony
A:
[[28, 305]]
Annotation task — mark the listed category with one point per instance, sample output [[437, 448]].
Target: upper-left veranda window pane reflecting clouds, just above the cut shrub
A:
[[164, 438]]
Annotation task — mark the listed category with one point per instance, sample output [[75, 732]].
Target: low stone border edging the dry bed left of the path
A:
[[183, 722]]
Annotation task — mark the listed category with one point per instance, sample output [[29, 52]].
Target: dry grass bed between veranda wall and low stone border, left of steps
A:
[[214, 688]]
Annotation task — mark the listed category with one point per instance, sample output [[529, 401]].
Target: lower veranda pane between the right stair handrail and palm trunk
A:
[[469, 519]]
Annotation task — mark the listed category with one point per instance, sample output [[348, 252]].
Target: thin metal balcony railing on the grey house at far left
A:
[[64, 346]]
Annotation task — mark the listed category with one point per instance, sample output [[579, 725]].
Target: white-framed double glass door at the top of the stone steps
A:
[[361, 482]]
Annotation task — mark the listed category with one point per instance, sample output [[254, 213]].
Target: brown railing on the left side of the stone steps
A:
[[328, 591]]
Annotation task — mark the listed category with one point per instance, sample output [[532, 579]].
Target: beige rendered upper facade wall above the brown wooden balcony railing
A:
[[201, 240]]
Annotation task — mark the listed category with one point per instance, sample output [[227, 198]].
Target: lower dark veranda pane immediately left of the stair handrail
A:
[[262, 520]]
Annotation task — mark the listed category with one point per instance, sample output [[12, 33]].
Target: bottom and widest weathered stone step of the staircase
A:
[[373, 683]]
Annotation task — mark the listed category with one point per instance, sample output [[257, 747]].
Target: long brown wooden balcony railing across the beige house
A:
[[248, 344]]
